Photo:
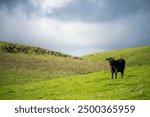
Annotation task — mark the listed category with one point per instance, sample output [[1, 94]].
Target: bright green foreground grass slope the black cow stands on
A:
[[98, 85]]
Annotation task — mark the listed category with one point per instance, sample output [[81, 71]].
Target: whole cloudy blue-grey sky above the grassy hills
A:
[[76, 27]]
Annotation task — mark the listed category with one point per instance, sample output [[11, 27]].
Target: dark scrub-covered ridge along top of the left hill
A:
[[12, 47]]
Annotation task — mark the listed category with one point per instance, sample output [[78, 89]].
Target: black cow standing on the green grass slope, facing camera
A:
[[116, 66]]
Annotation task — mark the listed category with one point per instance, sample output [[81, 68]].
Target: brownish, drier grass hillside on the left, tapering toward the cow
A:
[[19, 67]]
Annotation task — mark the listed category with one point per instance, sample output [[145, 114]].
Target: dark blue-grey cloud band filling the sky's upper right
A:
[[101, 10]]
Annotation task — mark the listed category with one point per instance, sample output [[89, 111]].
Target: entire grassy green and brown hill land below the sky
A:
[[25, 74]]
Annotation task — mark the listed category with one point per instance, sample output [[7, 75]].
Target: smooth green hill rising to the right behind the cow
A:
[[139, 55]]
